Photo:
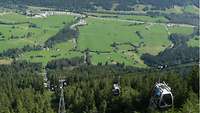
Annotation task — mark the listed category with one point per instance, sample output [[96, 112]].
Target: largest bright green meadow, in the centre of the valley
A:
[[99, 35]]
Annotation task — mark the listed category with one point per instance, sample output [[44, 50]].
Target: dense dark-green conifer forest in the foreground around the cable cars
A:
[[89, 89]]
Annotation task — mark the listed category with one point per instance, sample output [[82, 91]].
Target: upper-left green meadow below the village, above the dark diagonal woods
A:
[[19, 35]]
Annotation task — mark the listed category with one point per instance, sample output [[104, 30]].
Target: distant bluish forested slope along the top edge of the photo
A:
[[105, 4]]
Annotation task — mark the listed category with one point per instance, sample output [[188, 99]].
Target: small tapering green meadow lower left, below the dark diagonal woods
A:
[[61, 50]]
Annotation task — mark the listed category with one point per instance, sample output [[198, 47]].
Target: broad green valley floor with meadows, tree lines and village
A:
[[102, 38]]
